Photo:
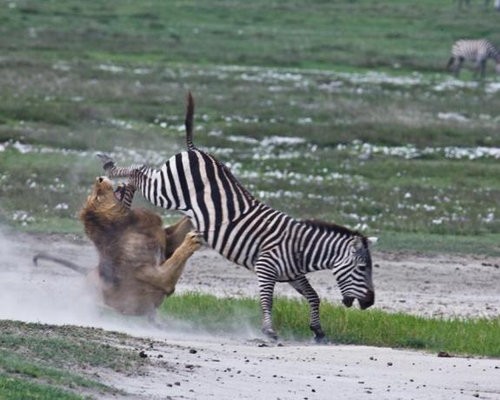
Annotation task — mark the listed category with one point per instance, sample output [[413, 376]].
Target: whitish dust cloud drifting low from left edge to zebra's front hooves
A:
[[50, 293]]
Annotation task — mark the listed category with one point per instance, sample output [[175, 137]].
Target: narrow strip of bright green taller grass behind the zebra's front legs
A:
[[478, 337]]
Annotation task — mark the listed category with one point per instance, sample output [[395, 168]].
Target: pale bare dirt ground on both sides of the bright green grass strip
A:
[[244, 365]]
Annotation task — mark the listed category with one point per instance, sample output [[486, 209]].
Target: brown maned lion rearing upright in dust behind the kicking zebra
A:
[[140, 262]]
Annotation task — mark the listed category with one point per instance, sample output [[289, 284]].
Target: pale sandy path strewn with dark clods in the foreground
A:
[[209, 368]]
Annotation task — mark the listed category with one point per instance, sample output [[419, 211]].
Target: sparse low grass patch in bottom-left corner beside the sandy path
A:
[[36, 360]]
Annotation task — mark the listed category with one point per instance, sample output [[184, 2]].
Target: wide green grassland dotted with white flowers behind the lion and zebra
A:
[[80, 78]]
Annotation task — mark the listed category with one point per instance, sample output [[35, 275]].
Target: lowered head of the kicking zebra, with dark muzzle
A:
[[355, 275]]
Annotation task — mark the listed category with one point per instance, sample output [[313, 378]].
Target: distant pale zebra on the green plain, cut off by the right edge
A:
[[477, 51]]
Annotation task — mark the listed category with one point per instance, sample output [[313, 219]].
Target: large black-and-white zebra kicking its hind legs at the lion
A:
[[275, 246]]
